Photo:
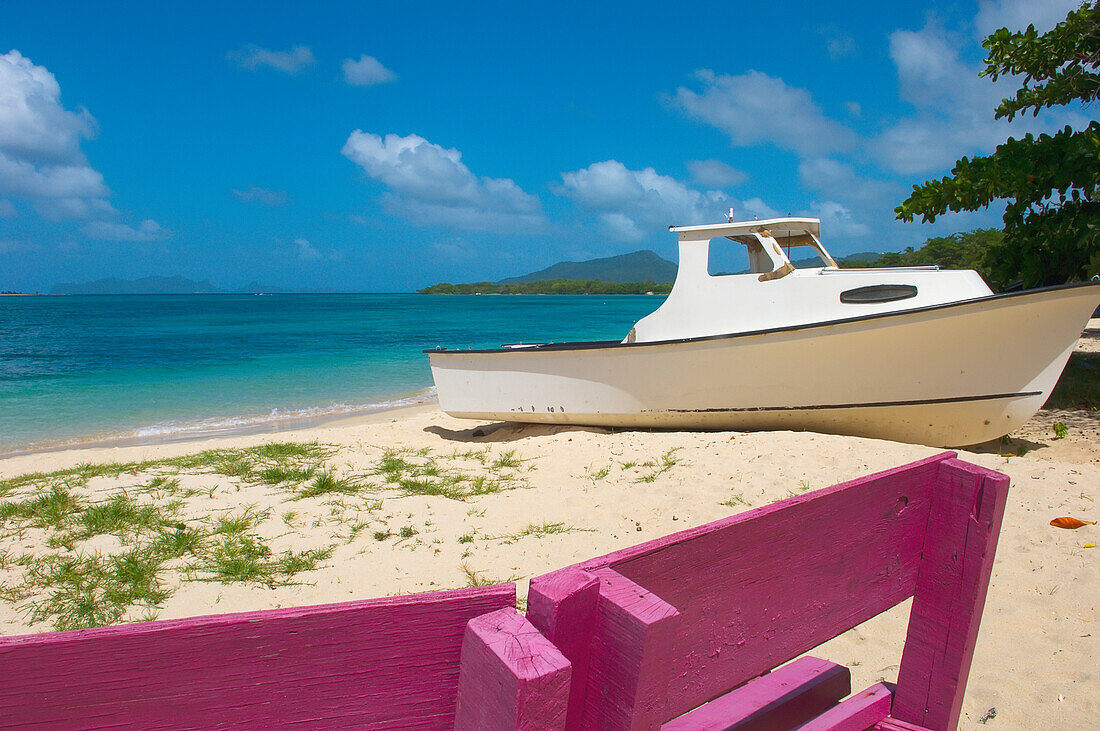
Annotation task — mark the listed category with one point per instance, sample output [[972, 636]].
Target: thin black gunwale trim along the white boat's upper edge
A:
[[614, 345]]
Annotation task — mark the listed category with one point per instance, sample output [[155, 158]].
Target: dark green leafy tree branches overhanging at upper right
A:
[[1052, 217]]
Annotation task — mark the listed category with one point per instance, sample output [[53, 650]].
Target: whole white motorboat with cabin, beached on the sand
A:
[[911, 355]]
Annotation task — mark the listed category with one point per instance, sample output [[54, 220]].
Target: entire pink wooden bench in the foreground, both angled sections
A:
[[692, 632]]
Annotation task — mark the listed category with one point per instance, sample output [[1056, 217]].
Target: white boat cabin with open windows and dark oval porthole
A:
[[768, 291]]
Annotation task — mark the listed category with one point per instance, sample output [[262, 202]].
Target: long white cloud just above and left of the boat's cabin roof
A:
[[634, 205]]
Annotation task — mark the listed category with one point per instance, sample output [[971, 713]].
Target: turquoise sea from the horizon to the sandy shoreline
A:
[[87, 369]]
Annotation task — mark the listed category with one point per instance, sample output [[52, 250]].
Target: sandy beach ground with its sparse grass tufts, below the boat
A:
[[420, 502]]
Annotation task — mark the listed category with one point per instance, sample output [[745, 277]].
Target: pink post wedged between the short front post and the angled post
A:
[[564, 607]]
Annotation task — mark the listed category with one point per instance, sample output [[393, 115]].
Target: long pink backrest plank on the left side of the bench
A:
[[379, 663]]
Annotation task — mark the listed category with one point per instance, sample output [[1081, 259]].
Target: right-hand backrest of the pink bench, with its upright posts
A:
[[686, 618]]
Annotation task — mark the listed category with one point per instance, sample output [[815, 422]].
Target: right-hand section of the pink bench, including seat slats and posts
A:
[[685, 633]]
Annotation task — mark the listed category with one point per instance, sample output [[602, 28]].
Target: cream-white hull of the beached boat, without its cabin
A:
[[949, 375]]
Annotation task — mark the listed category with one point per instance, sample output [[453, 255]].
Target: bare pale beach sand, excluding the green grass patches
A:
[[1037, 657]]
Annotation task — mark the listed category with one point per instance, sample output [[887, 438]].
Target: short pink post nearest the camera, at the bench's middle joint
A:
[[512, 678]]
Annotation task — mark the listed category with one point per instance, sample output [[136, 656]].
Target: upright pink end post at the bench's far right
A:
[[964, 525]]
